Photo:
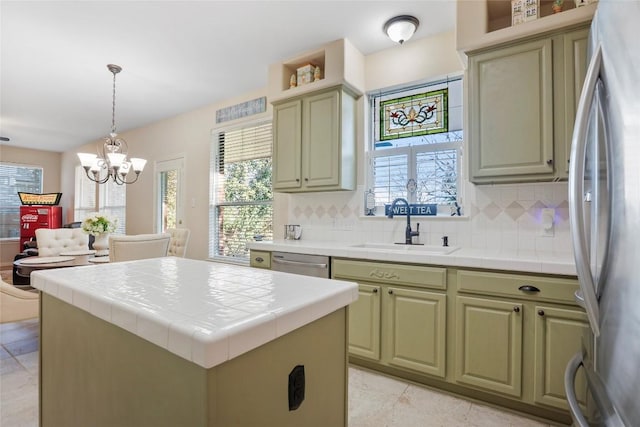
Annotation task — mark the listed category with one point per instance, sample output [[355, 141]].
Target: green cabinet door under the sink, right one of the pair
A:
[[415, 330]]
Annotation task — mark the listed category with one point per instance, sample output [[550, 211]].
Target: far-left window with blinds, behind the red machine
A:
[[15, 178]]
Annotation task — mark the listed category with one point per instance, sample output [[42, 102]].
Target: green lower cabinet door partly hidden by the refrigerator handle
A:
[[558, 335]]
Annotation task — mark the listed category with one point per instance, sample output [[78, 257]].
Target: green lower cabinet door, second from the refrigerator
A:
[[489, 344]]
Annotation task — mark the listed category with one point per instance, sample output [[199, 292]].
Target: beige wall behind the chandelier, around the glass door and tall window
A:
[[187, 135]]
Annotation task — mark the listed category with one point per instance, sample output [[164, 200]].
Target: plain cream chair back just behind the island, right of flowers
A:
[[140, 246]]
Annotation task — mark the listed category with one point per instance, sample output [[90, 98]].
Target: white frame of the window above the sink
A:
[[412, 151]]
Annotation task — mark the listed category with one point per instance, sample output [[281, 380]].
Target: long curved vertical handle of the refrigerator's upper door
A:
[[576, 191]]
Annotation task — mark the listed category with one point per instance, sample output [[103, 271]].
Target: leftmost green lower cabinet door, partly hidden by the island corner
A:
[[364, 323]]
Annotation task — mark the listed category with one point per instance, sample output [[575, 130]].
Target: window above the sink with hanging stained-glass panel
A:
[[418, 135]]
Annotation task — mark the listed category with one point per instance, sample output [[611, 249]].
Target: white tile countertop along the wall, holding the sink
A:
[[531, 262]]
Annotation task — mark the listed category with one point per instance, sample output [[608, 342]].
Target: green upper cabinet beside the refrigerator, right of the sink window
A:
[[522, 107]]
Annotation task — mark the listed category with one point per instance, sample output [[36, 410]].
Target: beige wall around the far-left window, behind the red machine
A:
[[50, 163]]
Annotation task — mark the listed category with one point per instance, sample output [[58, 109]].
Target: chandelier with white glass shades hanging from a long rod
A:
[[112, 152]]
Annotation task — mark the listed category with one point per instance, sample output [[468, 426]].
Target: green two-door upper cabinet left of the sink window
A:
[[314, 142]]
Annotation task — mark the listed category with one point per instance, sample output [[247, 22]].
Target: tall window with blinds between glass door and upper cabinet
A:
[[241, 199]]
